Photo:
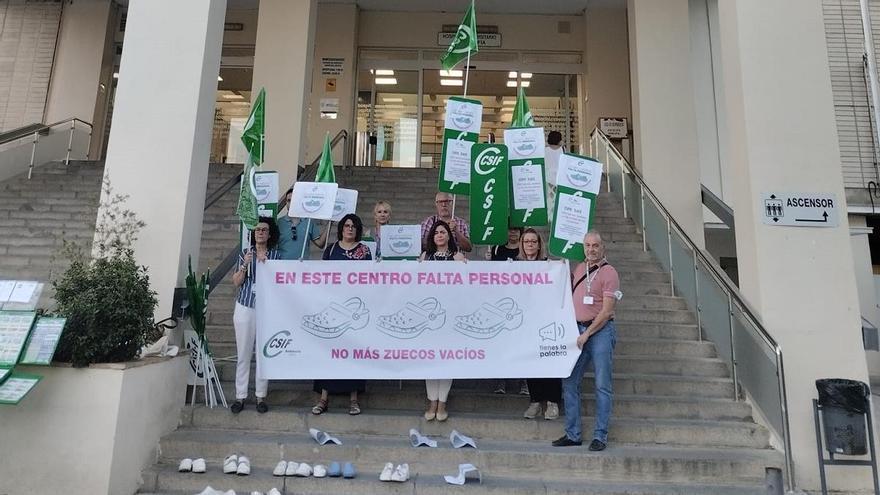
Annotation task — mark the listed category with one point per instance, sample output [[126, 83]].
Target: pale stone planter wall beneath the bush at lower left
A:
[[90, 430]]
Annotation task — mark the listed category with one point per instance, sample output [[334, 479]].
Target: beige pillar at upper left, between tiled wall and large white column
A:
[[74, 86]]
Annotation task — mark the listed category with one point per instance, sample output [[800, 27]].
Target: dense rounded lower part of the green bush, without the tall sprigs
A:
[[109, 308]]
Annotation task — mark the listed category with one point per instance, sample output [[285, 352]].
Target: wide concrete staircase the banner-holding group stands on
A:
[[675, 428]]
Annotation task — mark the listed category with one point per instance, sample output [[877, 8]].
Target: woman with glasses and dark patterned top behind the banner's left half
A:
[[348, 247]]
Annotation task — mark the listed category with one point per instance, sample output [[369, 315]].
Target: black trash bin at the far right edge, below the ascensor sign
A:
[[844, 404]]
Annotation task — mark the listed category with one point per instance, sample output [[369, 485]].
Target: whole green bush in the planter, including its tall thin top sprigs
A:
[[106, 298]]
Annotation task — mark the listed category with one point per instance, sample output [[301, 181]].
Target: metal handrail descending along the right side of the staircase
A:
[[723, 281]]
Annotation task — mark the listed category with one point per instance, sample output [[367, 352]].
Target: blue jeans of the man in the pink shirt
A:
[[599, 350]]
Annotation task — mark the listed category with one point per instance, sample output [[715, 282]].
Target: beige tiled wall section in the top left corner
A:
[[28, 31]]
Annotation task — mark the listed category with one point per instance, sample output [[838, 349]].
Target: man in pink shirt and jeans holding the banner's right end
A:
[[596, 291]]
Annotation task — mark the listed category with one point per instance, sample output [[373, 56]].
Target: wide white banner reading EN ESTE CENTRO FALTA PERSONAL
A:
[[405, 320]]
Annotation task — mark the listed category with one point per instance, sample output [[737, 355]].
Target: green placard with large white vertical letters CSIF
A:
[[490, 177]]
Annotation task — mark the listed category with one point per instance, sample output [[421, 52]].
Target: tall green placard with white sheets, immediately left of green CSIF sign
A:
[[461, 130]]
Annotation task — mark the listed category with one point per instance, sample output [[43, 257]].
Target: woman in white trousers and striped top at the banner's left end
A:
[[263, 247]]
